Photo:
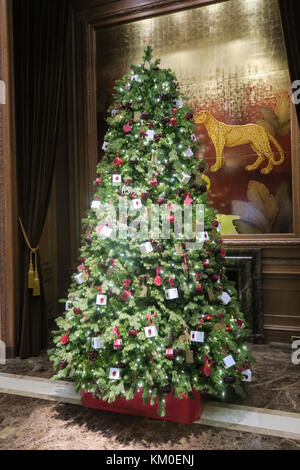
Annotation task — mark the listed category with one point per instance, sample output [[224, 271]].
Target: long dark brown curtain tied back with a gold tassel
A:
[[40, 31]]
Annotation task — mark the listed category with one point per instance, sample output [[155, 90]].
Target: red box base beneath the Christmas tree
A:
[[183, 410]]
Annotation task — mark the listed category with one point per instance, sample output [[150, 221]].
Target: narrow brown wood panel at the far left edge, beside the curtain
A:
[[8, 191]]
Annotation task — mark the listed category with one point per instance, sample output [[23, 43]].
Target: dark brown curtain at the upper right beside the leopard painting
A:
[[290, 17]]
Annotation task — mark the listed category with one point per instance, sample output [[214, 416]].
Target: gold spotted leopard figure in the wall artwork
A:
[[226, 135]]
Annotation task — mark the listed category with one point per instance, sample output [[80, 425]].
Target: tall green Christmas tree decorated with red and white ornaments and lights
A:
[[144, 311]]
